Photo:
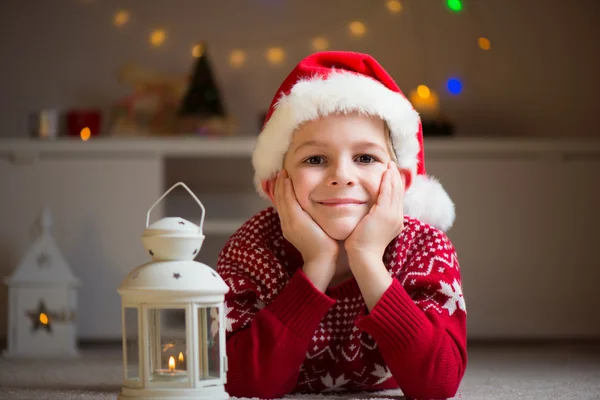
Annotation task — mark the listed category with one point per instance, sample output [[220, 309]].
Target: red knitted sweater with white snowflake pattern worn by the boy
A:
[[285, 336]]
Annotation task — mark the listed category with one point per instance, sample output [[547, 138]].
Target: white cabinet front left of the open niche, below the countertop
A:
[[98, 204]]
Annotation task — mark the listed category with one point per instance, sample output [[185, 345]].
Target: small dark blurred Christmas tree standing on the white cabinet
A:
[[202, 110]]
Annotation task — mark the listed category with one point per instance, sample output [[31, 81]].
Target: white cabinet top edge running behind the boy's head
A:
[[242, 146]]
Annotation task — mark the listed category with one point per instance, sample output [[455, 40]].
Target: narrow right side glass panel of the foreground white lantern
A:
[[209, 357]]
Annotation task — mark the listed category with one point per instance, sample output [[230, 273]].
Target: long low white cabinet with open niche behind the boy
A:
[[526, 229]]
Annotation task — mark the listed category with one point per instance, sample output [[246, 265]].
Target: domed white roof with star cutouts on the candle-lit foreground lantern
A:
[[174, 278]]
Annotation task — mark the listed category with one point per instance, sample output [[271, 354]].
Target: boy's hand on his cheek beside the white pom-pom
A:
[[384, 221]]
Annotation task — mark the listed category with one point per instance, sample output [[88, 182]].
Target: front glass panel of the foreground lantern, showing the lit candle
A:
[[167, 345]]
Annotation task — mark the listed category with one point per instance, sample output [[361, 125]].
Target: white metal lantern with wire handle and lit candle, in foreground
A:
[[172, 315]]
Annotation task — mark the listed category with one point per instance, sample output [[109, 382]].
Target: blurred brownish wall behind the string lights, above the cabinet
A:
[[539, 78]]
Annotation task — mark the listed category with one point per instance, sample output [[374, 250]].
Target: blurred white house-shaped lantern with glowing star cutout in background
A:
[[42, 301]]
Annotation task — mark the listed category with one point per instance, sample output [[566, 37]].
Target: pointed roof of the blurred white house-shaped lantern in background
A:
[[43, 264]]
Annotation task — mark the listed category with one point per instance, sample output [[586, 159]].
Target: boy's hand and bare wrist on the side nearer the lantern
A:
[[319, 251]]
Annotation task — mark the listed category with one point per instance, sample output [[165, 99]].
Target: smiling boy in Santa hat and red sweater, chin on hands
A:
[[349, 283]]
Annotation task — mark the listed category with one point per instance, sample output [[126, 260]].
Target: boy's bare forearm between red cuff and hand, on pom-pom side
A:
[[371, 275]]
